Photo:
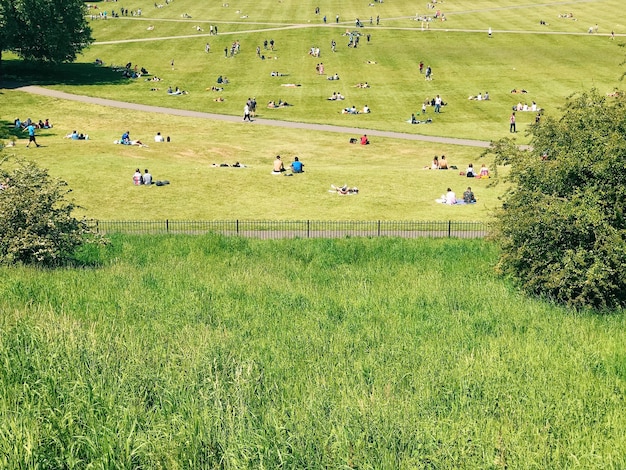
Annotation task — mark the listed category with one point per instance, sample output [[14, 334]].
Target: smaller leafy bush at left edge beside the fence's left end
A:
[[36, 222]]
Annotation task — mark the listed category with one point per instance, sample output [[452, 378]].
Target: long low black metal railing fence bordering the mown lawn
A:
[[298, 228]]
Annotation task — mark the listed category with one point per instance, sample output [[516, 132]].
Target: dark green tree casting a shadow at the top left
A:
[[52, 31]]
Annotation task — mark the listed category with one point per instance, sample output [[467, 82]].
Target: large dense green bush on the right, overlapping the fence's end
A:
[[561, 227]]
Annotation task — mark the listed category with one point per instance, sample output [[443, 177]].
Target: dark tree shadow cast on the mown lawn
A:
[[16, 73]]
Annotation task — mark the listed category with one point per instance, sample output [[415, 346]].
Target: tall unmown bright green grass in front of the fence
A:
[[210, 352]]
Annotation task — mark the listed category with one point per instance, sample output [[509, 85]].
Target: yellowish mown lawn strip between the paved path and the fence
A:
[[390, 172]]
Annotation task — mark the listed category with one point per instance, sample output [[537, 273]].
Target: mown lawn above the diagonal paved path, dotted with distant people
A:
[[464, 61]]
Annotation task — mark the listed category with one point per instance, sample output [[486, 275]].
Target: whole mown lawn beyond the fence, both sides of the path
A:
[[549, 61]]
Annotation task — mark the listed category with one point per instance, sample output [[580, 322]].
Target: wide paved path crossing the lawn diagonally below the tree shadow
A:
[[37, 90]]
